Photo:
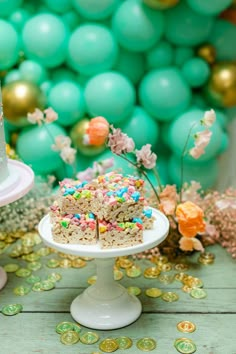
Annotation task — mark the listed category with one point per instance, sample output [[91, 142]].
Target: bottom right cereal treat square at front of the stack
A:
[[120, 234]]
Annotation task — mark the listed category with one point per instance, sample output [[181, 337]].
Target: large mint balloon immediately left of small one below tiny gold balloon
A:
[[164, 93]]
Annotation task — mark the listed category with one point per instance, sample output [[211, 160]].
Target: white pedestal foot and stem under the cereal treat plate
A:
[[105, 305]]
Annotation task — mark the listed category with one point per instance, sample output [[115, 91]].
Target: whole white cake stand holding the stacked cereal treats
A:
[[106, 304]]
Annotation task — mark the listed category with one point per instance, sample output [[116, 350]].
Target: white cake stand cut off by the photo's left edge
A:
[[17, 184]]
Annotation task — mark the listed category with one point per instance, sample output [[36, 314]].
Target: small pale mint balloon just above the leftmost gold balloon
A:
[[32, 71]]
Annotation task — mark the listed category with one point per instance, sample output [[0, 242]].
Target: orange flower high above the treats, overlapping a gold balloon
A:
[[97, 131]]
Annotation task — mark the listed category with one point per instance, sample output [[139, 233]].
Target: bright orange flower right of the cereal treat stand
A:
[[190, 219]]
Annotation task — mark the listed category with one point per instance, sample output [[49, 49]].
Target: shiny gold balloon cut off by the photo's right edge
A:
[[221, 87]]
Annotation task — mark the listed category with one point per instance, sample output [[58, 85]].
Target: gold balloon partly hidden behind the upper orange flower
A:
[[77, 133]]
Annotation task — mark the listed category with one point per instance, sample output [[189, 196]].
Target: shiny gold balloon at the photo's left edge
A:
[[20, 98]]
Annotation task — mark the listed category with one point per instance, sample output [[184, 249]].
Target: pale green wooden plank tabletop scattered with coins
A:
[[33, 330]]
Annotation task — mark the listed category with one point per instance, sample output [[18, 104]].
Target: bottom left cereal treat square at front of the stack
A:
[[73, 228]]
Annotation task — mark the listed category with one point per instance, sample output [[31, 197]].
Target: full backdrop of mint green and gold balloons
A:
[[150, 67]]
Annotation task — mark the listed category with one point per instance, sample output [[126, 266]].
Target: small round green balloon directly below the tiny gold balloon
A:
[[196, 72]]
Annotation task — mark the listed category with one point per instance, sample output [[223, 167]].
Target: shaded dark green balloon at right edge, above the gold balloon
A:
[[222, 37]]
